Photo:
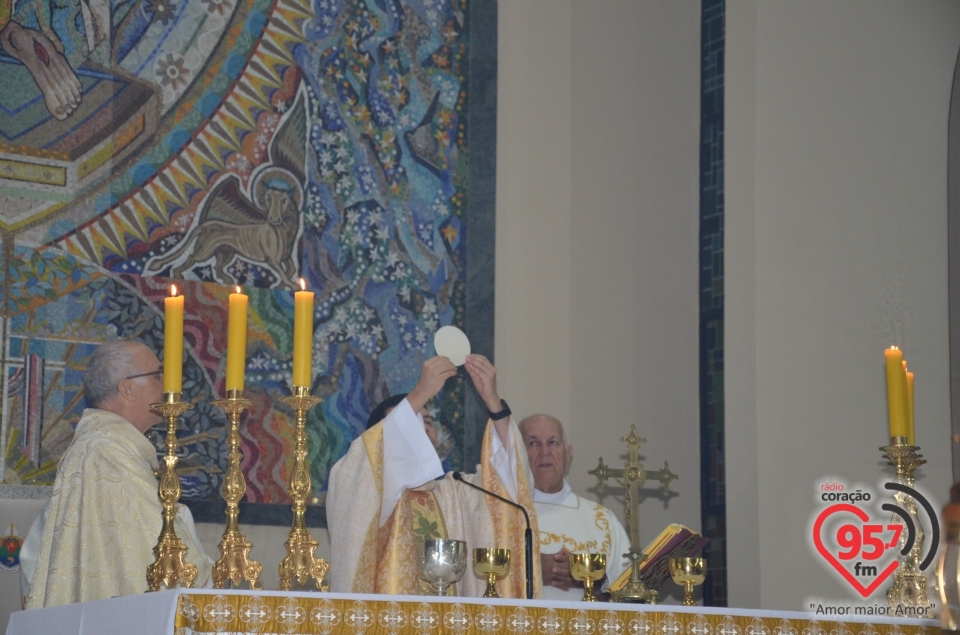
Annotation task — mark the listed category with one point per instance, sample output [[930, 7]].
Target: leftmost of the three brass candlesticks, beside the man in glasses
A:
[[169, 568]]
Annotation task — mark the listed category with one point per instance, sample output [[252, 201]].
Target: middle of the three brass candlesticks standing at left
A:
[[234, 563]]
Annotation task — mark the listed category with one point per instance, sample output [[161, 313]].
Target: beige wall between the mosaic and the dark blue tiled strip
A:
[[597, 198]]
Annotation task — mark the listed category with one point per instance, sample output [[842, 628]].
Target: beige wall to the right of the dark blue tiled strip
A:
[[836, 248]]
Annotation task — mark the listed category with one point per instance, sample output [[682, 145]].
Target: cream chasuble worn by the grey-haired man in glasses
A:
[[104, 517]]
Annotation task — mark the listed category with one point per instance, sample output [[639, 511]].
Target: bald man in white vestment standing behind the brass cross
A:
[[568, 523]]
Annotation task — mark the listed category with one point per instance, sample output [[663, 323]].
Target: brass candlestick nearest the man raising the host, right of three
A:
[[301, 562]]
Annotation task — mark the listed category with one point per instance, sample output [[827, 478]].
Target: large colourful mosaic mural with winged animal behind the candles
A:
[[245, 142]]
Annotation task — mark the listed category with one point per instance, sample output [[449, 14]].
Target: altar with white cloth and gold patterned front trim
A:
[[188, 612]]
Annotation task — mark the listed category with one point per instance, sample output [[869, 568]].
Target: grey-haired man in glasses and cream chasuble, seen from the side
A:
[[95, 538]]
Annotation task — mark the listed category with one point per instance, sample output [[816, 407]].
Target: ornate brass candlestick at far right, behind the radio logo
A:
[[909, 584]]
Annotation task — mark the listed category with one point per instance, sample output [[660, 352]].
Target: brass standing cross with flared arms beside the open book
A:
[[631, 478]]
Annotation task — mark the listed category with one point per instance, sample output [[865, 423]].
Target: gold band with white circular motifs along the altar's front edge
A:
[[267, 613]]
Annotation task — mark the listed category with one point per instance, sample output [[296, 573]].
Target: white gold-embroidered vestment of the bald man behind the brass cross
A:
[[579, 525]]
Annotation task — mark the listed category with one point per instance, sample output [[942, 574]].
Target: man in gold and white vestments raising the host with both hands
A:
[[384, 495]]
